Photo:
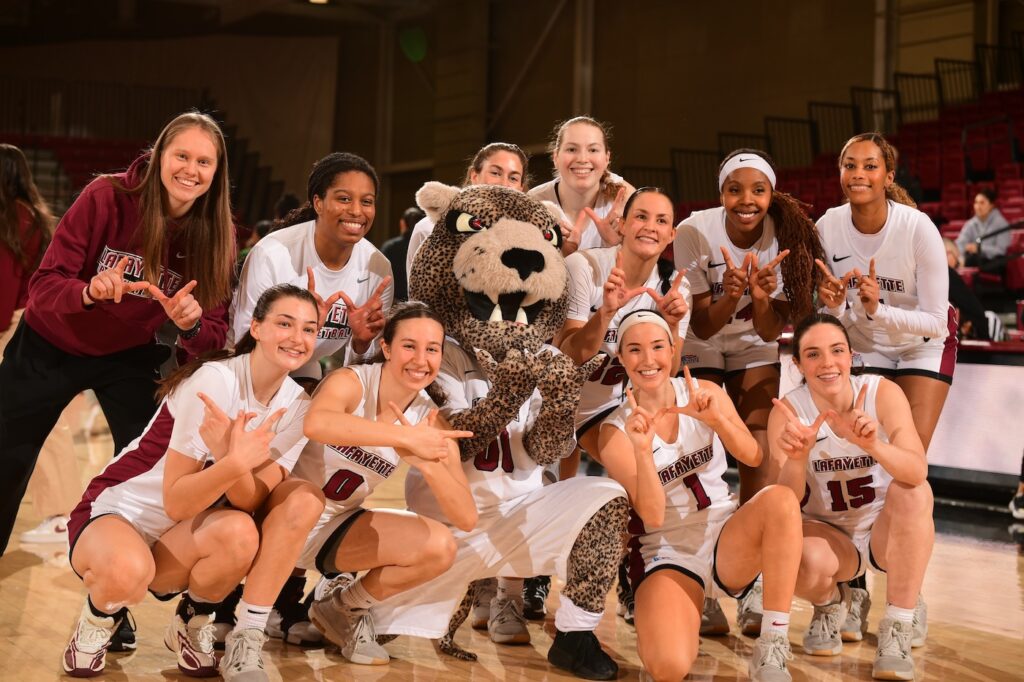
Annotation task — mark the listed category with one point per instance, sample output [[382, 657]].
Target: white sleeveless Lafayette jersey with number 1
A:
[[690, 468]]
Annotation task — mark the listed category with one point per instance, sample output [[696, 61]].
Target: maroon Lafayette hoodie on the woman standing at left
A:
[[97, 232]]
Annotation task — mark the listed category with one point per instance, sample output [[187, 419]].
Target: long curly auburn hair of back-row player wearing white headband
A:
[[796, 232]]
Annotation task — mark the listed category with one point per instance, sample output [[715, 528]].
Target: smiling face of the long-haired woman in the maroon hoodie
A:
[[188, 167]]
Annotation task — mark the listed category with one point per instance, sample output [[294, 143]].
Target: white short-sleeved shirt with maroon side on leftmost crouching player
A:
[[134, 481]]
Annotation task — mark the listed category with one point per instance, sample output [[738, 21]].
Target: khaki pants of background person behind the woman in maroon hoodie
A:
[[56, 486]]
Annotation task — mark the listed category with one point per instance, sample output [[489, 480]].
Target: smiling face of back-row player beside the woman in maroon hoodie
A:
[[346, 212]]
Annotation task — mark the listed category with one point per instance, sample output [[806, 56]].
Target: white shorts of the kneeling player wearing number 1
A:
[[688, 546]]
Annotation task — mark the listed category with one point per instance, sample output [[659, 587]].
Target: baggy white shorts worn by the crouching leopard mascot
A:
[[528, 536]]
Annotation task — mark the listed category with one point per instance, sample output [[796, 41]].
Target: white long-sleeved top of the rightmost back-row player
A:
[[913, 273]]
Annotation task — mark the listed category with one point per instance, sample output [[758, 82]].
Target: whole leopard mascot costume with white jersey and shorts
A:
[[493, 270]]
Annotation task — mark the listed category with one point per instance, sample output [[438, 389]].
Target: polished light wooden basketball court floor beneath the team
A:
[[974, 590]]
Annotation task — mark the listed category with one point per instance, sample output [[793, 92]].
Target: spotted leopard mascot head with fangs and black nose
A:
[[492, 268]]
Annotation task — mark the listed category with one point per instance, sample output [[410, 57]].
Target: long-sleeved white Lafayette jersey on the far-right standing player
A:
[[901, 251]]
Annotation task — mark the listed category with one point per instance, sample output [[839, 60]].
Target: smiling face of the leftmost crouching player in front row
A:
[[287, 334]]
